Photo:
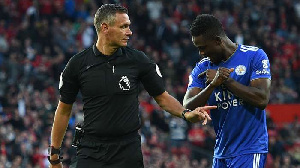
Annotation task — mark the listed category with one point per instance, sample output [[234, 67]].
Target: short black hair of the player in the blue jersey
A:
[[207, 25]]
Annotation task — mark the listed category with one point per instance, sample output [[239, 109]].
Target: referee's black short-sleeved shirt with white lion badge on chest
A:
[[109, 86]]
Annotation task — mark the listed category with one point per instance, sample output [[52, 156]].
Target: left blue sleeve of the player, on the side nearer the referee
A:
[[194, 80]]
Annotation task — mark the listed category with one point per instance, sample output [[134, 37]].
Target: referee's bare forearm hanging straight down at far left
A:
[[61, 120]]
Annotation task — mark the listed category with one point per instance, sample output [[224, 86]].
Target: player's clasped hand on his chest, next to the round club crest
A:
[[220, 76]]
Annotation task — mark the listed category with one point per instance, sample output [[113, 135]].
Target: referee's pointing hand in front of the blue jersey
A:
[[199, 114]]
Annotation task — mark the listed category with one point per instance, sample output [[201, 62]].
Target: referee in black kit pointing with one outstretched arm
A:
[[108, 75]]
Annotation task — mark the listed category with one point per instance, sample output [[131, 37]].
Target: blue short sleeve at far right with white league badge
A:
[[260, 66]]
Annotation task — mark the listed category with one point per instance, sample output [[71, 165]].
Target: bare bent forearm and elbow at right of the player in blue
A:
[[257, 94]]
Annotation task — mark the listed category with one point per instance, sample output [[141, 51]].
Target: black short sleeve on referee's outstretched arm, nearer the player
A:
[[151, 76]]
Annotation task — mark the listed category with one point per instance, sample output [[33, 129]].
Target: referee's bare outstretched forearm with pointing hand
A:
[[172, 105]]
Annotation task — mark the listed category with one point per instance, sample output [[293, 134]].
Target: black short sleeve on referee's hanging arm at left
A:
[[68, 84]]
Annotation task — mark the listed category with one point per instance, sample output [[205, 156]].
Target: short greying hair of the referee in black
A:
[[106, 13]]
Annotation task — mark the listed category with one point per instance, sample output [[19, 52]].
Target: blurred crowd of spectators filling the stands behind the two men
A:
[[38, 37]]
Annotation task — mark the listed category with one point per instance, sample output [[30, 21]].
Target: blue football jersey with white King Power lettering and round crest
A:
[[240, 128]]
